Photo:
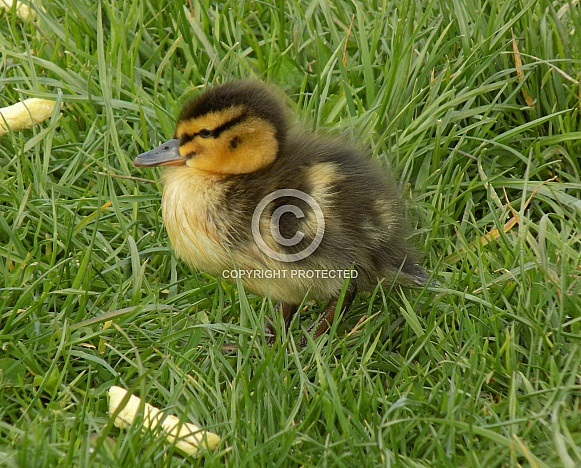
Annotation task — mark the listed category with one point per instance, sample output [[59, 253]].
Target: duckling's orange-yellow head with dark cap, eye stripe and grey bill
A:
[[236, 128]]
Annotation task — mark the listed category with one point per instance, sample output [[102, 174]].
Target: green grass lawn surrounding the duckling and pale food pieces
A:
[[483, 370]]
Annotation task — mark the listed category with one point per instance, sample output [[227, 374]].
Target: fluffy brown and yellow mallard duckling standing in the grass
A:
[[291, 213]]
